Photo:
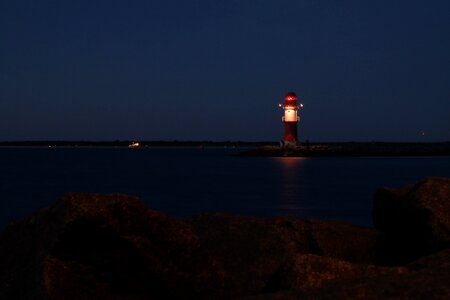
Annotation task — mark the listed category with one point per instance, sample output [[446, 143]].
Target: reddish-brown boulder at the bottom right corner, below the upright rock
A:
[[312, 278]]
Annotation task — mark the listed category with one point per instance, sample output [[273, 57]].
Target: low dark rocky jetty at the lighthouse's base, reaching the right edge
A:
[[352, 149]]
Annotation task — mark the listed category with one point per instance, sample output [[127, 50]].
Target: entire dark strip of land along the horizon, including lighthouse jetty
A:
[[269, 149]]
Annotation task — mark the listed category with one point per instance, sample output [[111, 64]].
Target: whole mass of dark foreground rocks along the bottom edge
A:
[[88, 246]]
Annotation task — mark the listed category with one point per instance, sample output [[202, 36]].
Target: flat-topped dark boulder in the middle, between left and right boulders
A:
[[251, 250]]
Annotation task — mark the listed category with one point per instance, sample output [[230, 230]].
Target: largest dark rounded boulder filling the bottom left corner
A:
[[105, 247]]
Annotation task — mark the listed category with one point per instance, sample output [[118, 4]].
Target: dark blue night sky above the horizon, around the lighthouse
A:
[[216, 70]]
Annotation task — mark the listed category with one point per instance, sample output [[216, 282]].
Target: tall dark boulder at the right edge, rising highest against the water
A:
[[415, 220]]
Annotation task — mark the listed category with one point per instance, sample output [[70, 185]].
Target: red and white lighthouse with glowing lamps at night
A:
[[290, 119]]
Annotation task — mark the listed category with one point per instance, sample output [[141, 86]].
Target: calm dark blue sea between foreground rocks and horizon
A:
[[183, 182]]
